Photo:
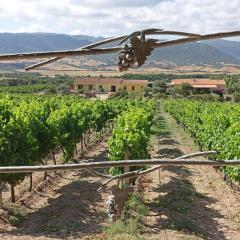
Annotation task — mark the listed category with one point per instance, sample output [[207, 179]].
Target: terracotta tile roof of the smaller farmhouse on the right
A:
[[198, 82]]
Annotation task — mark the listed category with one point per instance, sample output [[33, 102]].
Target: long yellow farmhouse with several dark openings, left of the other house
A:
[[106, 85]]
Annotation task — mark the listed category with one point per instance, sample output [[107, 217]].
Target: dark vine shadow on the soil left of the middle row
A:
[[73, 213]]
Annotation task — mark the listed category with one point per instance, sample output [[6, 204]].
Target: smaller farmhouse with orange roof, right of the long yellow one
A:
[[215, 85]]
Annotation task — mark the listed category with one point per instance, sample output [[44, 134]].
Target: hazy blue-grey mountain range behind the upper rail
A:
[[212, 52]]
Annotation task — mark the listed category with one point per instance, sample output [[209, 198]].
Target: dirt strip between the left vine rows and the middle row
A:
[[70, 208]]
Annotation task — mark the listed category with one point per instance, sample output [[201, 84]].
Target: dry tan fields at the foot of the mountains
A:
[[74, 68]]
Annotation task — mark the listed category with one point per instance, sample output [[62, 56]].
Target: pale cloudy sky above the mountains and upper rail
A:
[[114, 17]]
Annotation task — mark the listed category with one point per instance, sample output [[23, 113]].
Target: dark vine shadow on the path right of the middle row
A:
[[179, 206]]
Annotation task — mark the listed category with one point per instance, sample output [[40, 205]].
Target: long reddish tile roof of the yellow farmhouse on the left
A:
[[109, 81]]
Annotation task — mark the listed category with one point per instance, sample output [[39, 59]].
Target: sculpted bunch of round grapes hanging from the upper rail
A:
[[126, 59]]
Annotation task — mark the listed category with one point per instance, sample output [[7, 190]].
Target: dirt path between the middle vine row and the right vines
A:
[[189, 202]]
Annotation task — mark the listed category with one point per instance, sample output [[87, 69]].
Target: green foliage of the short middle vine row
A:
[[131, 135]]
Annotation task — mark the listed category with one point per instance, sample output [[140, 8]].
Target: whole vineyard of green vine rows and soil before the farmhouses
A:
[[42, 130]]
